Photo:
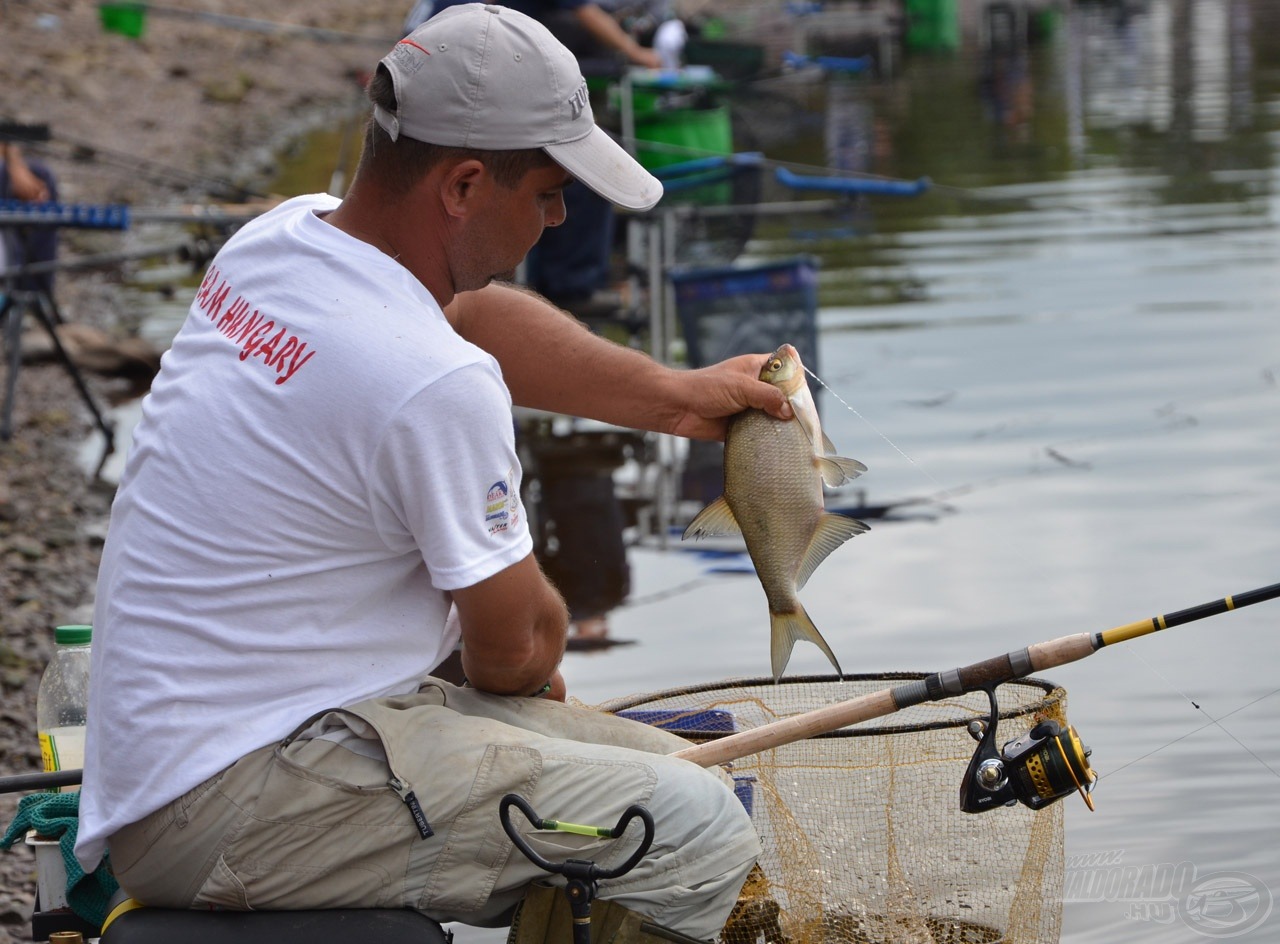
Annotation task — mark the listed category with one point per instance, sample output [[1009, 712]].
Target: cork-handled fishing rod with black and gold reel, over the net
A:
[[1036, 769]]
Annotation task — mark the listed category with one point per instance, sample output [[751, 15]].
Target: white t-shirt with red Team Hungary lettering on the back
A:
[[319, 461]]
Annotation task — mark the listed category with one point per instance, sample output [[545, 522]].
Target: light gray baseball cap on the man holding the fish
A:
[[492, 79]]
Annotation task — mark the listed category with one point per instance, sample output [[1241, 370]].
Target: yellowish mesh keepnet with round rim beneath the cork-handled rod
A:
[[863, 836]]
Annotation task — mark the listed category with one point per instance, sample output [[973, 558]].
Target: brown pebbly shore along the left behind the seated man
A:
[[188, 113]]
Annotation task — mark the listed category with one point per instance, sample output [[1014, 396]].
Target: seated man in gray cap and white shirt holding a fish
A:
[[323, 498]]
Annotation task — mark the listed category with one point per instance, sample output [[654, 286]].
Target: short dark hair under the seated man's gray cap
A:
[[403, 163]]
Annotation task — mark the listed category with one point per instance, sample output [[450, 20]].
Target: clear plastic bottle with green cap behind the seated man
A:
[[62, 702]]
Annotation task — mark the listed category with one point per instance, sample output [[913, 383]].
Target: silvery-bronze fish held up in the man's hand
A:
[[774, 476]]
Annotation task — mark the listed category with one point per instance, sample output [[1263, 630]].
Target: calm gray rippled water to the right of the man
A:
[[1068, 355]]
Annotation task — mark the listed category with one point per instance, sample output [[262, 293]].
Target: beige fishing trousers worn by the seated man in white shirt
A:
[[313, 823]]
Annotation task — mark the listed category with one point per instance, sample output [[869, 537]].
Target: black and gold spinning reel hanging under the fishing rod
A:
[[1039, 768]]
